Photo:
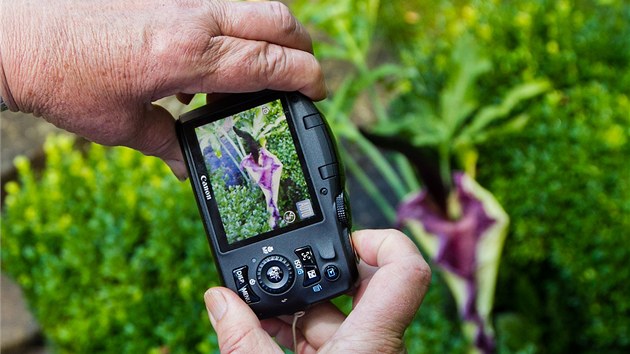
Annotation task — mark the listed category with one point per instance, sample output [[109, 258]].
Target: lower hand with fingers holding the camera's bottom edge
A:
[[393, 281]]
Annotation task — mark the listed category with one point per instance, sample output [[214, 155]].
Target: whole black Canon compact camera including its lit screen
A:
[[269, 185]]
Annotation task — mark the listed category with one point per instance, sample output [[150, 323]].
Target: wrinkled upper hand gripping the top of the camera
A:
[[95, 67]]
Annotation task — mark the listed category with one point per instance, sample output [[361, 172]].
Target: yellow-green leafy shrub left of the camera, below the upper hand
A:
[[110, 251]]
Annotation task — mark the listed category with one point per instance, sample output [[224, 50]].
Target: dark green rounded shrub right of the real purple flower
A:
[[565, 181]]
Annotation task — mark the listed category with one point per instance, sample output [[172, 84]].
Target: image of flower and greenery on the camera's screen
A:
[[255, 173]]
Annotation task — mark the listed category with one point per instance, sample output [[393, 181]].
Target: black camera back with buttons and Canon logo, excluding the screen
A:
[[290, 270]]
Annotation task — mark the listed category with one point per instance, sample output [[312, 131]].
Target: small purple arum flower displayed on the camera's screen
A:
[[266, 173]]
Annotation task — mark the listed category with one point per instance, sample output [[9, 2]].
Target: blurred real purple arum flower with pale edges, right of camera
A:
[[467, 248]]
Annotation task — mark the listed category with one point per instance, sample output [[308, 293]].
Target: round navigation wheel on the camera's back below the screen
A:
[[275, 274]]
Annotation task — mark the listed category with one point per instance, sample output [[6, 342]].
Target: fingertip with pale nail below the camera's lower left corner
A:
[[237, 327]]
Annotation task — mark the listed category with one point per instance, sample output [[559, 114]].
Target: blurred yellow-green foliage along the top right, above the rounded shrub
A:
[[568, 42]]
